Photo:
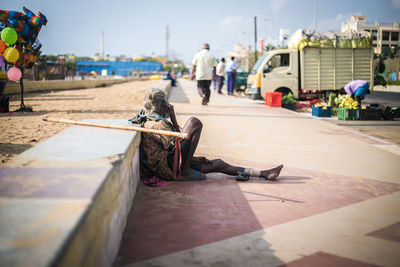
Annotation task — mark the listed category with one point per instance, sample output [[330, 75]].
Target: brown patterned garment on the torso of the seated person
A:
[[156, 148]]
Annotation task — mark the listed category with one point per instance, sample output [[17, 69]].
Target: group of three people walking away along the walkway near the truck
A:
[[207, 69]]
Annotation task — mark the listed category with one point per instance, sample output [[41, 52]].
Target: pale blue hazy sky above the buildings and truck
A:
[[137, 28]]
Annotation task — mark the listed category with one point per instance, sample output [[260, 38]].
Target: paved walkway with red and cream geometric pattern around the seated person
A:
[[335, 204]]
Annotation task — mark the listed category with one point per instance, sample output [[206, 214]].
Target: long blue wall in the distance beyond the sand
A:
[[117, 67]]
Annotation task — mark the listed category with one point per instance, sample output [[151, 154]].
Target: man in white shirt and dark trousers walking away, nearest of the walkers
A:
[[203, 67]]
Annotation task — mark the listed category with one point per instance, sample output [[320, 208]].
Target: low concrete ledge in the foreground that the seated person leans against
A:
[[65, 201]]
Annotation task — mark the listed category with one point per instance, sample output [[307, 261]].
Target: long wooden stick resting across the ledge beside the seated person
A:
[[118, 127]]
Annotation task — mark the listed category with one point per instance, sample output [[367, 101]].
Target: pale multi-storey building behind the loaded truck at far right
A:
[[383, 34]]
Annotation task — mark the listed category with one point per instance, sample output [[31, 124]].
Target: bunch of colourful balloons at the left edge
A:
[[19, 45]]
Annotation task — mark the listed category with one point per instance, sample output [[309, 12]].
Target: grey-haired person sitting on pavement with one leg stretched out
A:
[[170, 158]]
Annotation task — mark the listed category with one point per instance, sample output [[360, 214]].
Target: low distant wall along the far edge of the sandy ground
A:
[[37, 86]]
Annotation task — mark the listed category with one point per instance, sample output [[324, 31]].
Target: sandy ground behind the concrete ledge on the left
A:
[[23, 130]]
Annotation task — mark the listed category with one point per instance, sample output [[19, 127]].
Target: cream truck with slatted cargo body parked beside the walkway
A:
[[310, 71]]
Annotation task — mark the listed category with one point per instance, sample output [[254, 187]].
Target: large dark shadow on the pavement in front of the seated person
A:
[[183, 216]]
